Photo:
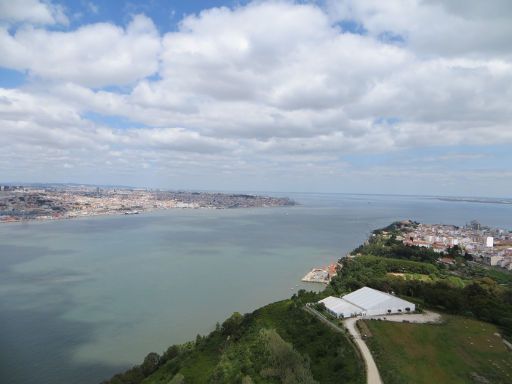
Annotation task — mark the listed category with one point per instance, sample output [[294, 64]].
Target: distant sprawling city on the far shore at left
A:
[[64, 202]]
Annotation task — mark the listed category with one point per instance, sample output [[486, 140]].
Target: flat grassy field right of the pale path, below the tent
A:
[[448, 353]]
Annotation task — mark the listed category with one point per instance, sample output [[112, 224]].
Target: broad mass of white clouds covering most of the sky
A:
[[270, 85]]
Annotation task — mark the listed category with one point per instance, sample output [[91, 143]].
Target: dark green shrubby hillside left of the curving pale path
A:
[[279, 343]]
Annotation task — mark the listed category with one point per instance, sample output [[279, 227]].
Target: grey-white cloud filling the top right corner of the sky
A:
[[440, 27]]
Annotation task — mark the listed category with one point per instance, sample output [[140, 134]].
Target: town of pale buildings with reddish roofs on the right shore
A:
[[491, 246]]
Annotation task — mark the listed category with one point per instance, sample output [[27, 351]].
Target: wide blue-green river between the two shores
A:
[[83, 299]]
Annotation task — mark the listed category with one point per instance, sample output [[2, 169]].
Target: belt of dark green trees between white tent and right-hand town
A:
[[465, 289]]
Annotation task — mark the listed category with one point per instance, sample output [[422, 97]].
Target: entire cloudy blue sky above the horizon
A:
[[353, 96]]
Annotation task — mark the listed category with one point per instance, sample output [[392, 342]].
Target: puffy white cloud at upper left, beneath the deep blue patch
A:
[[94, 55]]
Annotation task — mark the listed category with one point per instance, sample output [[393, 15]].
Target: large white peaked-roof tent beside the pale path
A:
[[366, 302]]
